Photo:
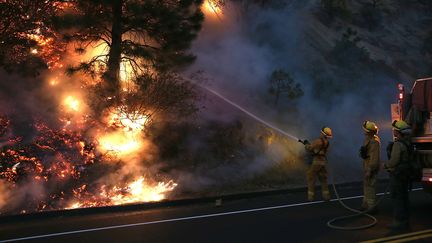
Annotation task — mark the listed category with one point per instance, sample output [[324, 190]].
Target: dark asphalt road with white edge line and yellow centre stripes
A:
[[272, 218]]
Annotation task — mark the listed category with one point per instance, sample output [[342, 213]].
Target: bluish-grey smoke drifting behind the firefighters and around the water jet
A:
[[238, 54]]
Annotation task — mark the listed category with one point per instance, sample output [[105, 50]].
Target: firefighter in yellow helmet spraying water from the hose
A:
[[318, 148]]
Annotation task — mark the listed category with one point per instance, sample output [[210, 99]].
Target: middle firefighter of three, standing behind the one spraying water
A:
[[370, 153]]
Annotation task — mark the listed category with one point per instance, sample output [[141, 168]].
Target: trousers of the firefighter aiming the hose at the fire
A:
[[317, 171]]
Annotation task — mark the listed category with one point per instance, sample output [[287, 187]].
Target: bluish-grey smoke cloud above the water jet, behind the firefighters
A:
[[240, 52]]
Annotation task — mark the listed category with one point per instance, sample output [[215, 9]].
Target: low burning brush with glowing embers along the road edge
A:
[[70, 166]]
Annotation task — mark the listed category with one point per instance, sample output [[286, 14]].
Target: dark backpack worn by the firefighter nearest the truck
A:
[[410, 169]]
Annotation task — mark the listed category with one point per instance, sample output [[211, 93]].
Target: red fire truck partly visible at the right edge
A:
[[415, 107]]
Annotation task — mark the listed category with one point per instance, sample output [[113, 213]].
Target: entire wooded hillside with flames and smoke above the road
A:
[[95, 110]]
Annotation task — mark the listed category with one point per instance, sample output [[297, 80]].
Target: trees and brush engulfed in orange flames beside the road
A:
[[93, 152]]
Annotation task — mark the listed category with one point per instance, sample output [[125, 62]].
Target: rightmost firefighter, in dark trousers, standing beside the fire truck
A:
[[399, 180]]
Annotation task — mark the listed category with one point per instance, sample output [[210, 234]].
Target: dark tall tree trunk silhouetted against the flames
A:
[[114, 55]]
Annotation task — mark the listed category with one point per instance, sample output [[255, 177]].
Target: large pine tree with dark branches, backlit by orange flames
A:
[[146, 36]]
